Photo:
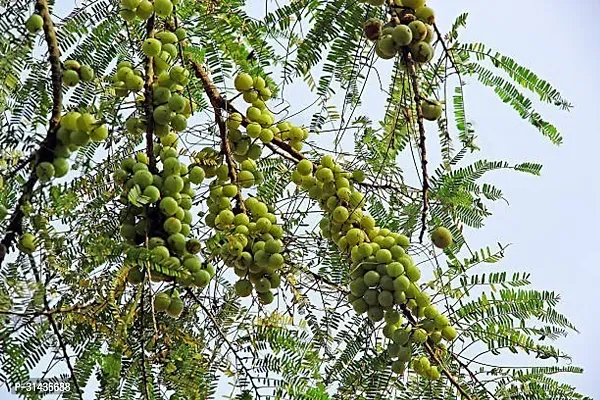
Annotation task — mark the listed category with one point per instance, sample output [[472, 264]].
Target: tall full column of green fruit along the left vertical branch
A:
[[162, 224]]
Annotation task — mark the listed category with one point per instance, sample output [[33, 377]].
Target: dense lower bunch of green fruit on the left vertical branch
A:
[[163, 225]]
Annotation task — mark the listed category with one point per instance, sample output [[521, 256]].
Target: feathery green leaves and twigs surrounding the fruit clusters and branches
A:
[[67, 313]]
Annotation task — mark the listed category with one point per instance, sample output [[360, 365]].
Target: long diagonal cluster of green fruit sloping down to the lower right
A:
[[383, 276]]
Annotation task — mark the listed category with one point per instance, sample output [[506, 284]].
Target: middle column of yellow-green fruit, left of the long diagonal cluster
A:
[[252, 237]]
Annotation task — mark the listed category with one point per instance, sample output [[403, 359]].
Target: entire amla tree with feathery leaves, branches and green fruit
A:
[[172, 221]]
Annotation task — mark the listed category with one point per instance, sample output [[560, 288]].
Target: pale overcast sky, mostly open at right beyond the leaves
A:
[[552, 221]]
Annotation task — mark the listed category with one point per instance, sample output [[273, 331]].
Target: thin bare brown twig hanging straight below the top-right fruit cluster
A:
[[425, 176]]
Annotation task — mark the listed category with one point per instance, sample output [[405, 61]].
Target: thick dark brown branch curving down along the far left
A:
[[46, 149]]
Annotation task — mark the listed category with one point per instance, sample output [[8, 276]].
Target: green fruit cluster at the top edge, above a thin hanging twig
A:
[[409, 29]]
